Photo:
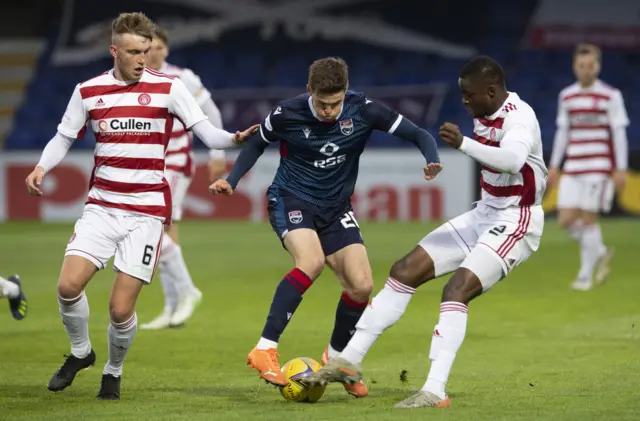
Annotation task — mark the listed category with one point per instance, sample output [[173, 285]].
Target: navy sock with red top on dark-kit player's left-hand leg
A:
[[286, 299]]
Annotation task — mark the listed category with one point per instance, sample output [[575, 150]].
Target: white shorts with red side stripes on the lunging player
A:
[[489, 242]]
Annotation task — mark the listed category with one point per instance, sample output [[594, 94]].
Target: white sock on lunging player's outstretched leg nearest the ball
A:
[[385, 310]]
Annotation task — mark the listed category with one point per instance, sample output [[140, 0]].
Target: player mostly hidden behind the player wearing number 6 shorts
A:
[[180, 294]]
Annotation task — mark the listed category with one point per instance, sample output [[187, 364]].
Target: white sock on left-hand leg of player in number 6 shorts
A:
[[75, 318]]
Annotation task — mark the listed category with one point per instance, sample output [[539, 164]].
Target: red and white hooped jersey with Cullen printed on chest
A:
[[132, 123]]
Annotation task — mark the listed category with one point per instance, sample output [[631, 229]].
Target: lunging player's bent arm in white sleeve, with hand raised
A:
[[510, 157]]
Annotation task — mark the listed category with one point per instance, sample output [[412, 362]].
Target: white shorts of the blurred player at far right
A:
[[586, 193]]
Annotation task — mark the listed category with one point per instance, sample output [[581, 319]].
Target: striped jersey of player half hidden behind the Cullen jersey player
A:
[[179, 155]]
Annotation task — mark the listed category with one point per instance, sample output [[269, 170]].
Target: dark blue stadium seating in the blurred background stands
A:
[[536, 75]]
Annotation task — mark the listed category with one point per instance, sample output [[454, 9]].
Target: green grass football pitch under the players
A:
[[535, 350]]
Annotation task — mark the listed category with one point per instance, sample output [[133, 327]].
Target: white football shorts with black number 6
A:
[[133, 239]]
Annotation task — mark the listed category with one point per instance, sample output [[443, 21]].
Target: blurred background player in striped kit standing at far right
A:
[[592, 123]]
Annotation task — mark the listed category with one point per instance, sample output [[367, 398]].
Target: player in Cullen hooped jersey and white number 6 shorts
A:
[[131, 111]]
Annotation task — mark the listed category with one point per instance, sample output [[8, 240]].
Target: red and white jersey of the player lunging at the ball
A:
[[527, 187]]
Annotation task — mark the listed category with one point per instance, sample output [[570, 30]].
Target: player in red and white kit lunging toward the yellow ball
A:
[[480, 247]]
